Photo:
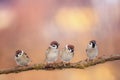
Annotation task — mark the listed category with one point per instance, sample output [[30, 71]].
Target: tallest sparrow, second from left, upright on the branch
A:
[[52, 52]]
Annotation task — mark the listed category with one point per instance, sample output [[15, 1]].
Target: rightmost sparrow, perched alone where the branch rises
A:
[[92, 50]]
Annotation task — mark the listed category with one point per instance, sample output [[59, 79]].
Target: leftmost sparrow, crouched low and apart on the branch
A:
[[22, 58]]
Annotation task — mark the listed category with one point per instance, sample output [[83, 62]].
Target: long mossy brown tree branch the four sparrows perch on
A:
[[79, 65]]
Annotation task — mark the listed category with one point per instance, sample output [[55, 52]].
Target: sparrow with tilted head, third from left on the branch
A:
[[67, 53]]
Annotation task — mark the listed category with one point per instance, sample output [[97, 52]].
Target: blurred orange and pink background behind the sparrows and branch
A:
[[31, 25]]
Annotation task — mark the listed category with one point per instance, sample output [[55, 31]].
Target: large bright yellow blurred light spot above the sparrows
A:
[[78, 19]]
